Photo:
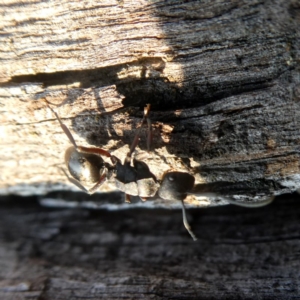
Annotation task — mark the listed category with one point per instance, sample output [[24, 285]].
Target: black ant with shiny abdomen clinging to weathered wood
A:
[[133, 177]]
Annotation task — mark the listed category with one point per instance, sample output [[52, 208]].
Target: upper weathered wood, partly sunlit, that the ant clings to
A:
[[222, 79]]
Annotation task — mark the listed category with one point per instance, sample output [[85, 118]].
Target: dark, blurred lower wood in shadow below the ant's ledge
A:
[[147, 254]]
